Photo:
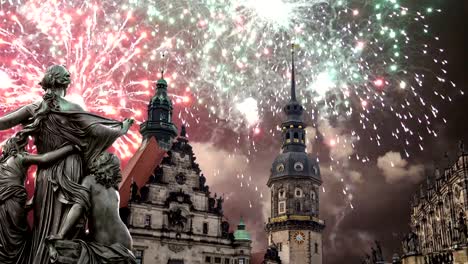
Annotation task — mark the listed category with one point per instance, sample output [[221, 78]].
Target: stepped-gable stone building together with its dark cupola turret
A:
[[173, 217]]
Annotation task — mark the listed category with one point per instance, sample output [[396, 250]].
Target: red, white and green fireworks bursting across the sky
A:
[[231, 60]]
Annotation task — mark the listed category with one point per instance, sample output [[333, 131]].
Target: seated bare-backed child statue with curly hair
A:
[[109, 240]]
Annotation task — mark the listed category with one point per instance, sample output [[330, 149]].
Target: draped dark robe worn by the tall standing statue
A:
[[58, 185]]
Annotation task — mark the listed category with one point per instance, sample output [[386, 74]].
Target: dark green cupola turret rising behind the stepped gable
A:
[[159, 123]]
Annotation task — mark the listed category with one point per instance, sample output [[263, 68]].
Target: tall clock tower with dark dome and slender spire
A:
[[294, 227]]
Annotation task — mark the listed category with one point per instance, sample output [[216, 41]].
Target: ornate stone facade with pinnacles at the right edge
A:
[[439, 210]]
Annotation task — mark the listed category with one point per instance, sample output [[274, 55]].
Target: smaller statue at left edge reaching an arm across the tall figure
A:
[[14, 229]]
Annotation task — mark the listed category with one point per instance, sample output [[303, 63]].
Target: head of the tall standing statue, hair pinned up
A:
[[56, 79]]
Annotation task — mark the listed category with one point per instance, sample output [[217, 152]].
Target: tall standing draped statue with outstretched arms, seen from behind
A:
[[53, 123]]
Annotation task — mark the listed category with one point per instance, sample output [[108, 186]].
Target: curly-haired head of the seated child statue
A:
[[106, 169]]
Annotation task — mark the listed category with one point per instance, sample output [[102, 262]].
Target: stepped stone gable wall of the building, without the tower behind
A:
[[201, 238]]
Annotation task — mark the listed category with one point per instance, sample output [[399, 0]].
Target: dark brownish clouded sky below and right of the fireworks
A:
[[381, 195]]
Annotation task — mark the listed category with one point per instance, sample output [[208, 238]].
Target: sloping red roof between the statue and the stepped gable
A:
[[140, 167]]
